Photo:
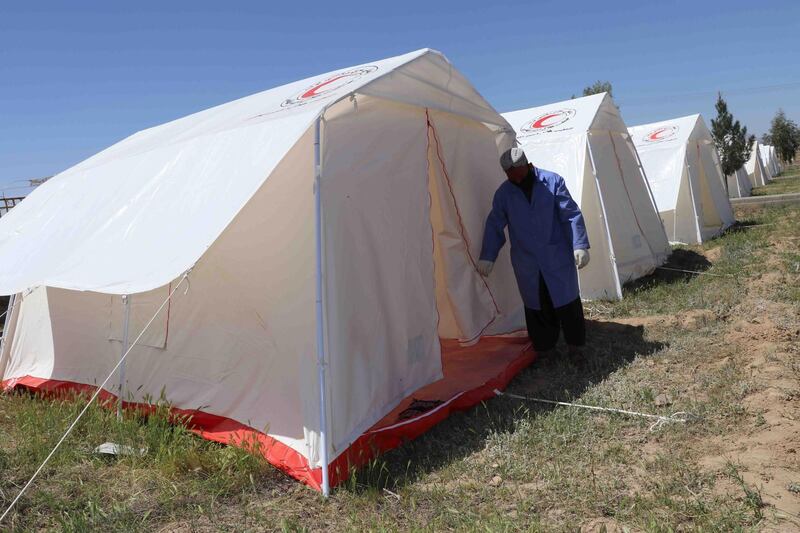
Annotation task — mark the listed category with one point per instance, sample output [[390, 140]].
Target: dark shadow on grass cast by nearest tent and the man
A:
[[610, 346]]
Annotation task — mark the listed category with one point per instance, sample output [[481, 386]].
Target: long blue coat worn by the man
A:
[[543, 234]]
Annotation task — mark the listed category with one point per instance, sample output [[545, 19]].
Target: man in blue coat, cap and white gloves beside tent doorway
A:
[[548, 241]]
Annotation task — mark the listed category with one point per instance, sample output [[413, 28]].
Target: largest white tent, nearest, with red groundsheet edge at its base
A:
[[330, 227]]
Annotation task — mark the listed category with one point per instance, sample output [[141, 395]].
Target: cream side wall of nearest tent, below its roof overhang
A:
[[240, 342]]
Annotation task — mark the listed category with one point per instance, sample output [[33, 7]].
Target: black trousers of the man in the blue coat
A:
[[545, 325]]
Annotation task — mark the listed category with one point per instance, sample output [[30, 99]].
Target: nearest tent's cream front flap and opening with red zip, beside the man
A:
[[465, 173]]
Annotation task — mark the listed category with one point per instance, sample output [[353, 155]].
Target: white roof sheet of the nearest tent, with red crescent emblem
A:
[[138, 214]]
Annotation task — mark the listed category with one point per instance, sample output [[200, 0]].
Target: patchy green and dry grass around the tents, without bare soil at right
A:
[[506, 465]]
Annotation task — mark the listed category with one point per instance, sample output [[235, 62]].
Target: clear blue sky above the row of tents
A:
[[77, 76]]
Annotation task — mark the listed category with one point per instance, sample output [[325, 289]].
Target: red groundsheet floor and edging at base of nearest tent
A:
[[471, 373]]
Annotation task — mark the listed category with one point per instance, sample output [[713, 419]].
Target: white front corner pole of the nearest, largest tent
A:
[[323, 408]]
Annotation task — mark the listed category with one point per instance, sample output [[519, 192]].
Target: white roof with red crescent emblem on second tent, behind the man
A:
[[555, 121]]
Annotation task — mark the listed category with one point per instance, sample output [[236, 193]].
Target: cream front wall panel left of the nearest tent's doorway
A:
[[379, 278]]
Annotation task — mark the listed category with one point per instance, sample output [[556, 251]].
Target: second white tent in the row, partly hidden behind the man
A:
[[586, 142]]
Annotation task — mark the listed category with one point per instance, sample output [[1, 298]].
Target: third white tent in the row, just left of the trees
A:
[[682, 166]]
